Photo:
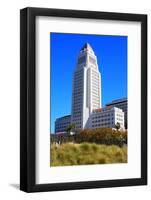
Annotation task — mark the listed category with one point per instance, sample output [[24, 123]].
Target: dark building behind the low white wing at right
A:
[[122, 104]]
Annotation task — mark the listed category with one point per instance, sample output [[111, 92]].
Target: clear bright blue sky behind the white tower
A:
[[111, 52]]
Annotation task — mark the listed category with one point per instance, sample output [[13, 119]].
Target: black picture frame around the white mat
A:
[[28, 99]]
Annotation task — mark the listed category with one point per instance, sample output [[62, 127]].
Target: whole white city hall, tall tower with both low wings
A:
[[86, 97]]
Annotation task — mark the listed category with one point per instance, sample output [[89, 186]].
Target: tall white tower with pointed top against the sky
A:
[[86, 94]]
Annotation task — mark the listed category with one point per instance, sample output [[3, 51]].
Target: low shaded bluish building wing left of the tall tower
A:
[[62, 123]]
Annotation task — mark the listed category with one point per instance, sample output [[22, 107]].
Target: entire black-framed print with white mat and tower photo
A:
[[83, 99]]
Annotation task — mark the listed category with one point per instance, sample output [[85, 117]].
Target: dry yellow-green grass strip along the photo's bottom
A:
[[87, 153]]
